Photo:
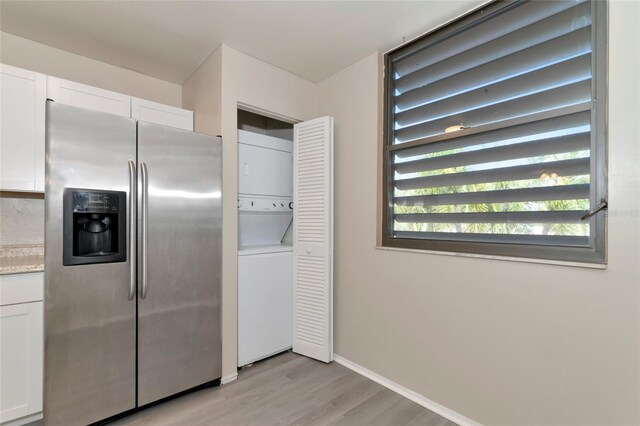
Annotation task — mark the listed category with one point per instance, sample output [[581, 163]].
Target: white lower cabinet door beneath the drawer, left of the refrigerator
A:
[[21, 362]]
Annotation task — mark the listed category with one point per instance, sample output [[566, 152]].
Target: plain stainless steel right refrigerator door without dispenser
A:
[[179, 334]]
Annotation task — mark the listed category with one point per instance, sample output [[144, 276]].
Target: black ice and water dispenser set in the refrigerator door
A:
[[94, 226]]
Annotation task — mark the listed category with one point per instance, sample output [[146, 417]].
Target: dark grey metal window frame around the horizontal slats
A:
[[596, 252]]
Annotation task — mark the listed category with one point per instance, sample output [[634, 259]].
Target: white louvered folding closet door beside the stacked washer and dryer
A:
[[313, 239]]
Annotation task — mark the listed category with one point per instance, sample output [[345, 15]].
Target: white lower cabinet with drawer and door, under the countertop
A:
[[21, 347]]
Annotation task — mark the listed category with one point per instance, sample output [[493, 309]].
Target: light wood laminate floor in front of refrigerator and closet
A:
[[290, 389]]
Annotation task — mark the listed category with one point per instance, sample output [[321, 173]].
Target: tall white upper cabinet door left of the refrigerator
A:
[[22, 118]]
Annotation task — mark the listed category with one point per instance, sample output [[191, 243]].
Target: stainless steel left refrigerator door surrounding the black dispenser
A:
[[90, 323]]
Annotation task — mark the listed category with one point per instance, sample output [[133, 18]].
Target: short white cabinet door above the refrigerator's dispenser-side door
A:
[[88, 97]]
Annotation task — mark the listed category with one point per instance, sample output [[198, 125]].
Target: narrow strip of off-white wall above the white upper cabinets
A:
[[27, 54]]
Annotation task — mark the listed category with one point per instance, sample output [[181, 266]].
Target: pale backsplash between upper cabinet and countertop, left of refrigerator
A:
[[21, 221]]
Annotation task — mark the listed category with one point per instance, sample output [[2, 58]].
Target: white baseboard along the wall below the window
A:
[[407, 393]]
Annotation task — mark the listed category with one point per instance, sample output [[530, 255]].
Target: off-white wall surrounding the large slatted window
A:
[[499, 342]]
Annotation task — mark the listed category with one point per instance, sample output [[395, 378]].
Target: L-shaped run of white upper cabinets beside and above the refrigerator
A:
[[23, 97]]
